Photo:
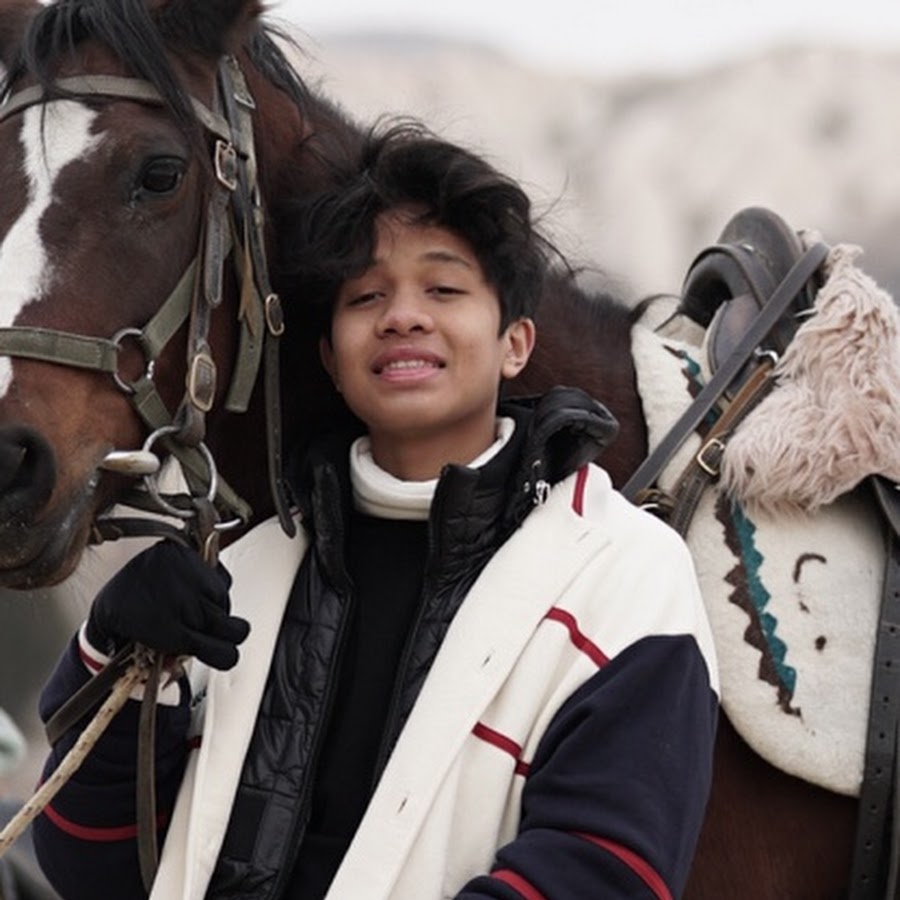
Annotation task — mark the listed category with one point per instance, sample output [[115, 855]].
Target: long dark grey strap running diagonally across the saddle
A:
[[648, 472]]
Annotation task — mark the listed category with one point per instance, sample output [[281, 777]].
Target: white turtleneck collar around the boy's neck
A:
[[378, 493]]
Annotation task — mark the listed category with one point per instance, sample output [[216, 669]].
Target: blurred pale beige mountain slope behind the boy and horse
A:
[[638, 173]]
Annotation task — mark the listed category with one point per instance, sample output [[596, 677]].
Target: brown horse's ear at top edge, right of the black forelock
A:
[[208, 27]]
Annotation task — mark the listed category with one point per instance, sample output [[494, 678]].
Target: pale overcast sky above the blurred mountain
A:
[[611, 35]]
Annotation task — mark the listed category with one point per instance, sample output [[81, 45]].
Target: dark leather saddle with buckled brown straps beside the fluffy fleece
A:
[[747, 291]]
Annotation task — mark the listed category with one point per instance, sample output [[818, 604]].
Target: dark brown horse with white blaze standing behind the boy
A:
[[121, 143]]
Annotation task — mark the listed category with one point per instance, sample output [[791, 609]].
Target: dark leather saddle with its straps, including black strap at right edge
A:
[[748, 292]]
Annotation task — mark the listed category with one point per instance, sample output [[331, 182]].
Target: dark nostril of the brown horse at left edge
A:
[[27, 469]]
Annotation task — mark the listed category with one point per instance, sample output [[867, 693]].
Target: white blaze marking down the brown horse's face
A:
[[52, 136]]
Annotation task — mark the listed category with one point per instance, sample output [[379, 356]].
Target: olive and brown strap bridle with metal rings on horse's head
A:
[[233, 226]]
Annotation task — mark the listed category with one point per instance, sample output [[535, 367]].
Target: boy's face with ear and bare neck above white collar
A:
[[417, 352]]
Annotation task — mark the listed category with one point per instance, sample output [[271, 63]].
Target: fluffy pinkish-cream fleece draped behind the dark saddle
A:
[[834, 415]]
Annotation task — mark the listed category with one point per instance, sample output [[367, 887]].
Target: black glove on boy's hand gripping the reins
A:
[[169, 600]]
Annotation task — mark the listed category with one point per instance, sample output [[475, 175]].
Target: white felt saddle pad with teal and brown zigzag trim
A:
[[792, 598]]
